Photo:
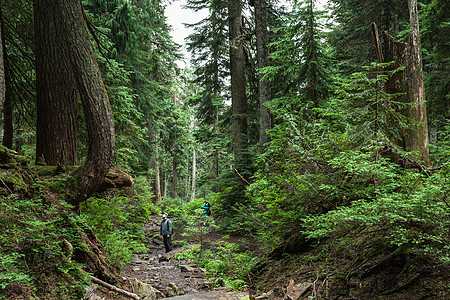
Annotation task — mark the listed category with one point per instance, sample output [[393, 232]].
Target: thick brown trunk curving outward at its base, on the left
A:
[[94, 99]]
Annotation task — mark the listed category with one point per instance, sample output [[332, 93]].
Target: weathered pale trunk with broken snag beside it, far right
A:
[[409, 80]]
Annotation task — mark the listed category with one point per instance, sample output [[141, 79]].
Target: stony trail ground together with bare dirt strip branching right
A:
[[170, 278]]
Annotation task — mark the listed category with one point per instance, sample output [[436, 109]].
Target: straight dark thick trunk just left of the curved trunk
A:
[[56, 128]]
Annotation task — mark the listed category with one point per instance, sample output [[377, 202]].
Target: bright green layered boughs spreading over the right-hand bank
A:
[[415, 214]]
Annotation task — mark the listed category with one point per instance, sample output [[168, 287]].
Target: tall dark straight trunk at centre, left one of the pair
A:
[[238, 83]]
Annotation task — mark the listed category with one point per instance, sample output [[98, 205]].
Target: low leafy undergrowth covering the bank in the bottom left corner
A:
[[32, 254]]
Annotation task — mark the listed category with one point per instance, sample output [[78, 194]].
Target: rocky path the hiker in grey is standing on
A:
[[157, 275]]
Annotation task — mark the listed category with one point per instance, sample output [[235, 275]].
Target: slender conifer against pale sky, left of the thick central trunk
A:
[[208, 45]]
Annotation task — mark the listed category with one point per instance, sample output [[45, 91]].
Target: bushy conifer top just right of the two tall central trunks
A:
[[299, 71]]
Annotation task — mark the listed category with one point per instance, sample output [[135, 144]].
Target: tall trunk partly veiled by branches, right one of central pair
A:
[[264, 88]]
